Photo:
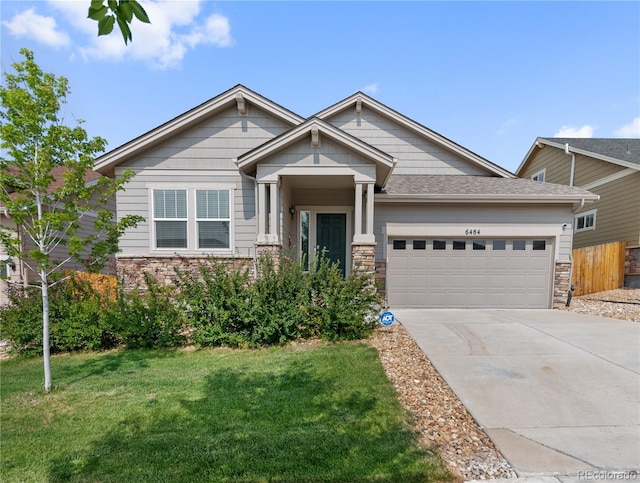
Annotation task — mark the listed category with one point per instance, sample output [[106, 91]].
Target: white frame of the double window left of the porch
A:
[[192, 221]]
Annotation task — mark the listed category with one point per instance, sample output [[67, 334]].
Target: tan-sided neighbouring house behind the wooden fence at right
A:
[[607, 167]]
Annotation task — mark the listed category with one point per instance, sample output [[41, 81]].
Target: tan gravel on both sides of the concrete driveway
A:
[[440, 418]]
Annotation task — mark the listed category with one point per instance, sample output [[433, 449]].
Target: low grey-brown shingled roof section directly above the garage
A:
[[481, 188]]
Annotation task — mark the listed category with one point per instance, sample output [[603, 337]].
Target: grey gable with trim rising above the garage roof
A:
[[419, 150]]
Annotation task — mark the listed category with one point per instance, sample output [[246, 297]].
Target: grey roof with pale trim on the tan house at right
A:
[[621, 151]]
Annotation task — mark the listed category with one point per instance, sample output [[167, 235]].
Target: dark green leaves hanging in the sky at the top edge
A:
[[120, 12]]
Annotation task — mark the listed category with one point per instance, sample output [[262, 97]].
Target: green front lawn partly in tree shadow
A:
[[285, 415]]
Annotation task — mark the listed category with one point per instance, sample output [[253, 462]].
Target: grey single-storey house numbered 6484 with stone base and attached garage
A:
[[240, 176]]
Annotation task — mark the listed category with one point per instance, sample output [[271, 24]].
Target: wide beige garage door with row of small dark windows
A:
[[469, 273]]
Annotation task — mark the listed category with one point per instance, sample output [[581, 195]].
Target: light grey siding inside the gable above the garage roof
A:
[[415, 154]]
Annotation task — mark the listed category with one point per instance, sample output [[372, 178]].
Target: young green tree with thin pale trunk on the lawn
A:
[[44, 168]]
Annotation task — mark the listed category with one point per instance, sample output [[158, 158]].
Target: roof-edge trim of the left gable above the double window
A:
[[238, 95]]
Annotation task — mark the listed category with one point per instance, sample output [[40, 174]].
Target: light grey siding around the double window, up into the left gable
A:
[[203, 156]]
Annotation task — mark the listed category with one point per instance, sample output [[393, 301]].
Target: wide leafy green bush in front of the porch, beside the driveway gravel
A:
[[284, 303]]
